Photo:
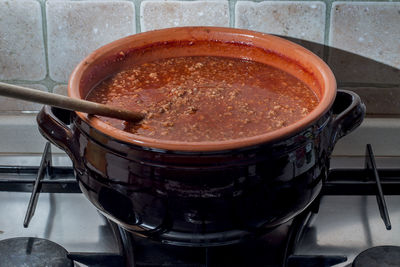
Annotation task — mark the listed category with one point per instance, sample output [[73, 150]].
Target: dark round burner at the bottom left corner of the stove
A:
[[34, 252]]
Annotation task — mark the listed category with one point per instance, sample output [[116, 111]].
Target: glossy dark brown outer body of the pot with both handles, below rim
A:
[[202, 198]]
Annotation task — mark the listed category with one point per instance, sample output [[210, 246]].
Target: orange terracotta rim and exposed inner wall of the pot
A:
[[204, 41]]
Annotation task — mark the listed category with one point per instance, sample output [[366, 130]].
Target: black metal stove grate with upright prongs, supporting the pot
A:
[[50, 179]]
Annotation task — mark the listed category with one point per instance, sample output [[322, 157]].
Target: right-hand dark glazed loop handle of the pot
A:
[[348, 113]]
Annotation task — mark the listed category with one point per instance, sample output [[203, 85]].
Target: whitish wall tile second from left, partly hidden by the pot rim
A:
[[74, 29]]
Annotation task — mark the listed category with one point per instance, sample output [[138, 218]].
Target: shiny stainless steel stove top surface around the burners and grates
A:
[[332, 234]]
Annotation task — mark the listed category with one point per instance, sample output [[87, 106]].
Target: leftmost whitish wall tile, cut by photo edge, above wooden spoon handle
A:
[[22, 53]]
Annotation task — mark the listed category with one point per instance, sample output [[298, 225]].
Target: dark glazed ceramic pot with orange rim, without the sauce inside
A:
[[202, 193]]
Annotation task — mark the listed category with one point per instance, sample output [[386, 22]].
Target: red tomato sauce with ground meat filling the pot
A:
[[205, 98]]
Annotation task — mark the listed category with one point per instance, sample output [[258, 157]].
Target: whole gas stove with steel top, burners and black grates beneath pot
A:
[[47, 219]]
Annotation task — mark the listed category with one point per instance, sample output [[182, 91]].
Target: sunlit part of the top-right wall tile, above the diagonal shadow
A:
[[370, 29]]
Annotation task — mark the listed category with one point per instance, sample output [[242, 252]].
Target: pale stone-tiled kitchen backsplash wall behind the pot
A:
[[41, 41]]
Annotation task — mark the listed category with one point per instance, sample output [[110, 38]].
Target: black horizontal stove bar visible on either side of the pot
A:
[[340, 181]]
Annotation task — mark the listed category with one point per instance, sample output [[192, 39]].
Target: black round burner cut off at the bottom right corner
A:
[[382, 256]]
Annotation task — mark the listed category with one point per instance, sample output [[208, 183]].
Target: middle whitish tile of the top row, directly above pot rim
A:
[[164, 14]]
